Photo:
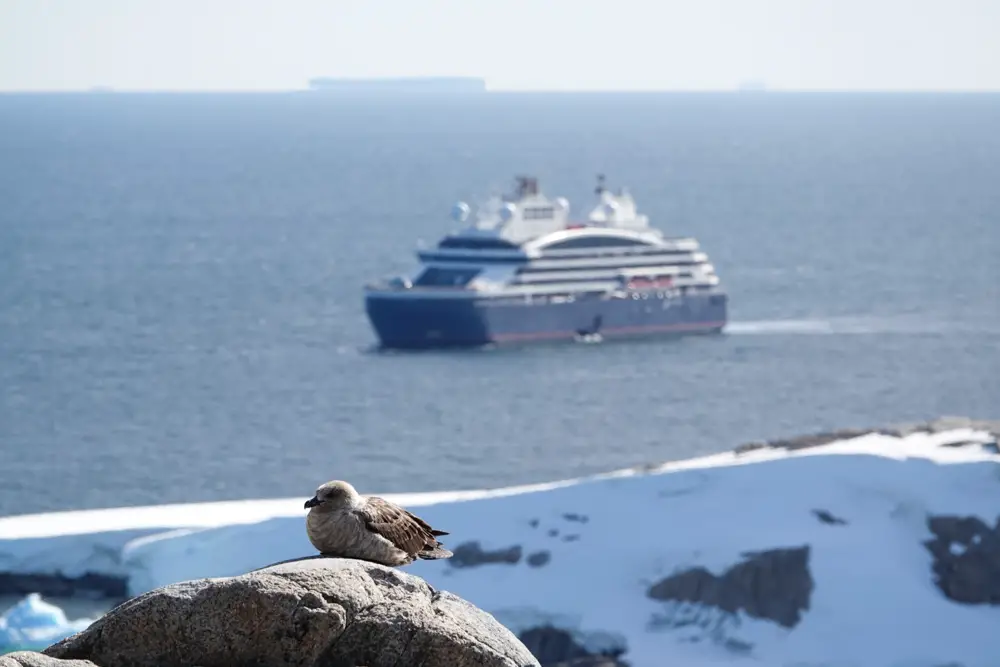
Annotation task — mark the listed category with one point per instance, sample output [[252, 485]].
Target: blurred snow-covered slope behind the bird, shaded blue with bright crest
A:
[[607, 539]]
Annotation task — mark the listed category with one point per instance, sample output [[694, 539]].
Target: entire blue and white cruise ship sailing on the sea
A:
[[522, 269]]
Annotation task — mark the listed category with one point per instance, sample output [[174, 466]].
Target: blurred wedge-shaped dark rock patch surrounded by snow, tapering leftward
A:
[[774, 585]]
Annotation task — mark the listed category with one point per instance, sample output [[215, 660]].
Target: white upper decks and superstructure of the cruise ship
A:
[[527, 243]]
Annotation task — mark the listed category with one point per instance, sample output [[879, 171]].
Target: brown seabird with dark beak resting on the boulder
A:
[[343, 523]]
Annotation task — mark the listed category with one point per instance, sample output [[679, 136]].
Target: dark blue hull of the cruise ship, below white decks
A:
[[411, 320]]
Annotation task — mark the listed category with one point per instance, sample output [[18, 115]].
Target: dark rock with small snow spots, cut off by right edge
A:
[[966, 558]]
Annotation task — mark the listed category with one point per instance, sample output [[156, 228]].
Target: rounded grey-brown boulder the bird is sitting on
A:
[[327, 611]]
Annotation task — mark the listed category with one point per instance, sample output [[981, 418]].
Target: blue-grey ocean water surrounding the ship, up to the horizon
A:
[[181, 314]]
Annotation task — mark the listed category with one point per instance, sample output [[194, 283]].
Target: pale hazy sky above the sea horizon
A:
[[513, 44]]
